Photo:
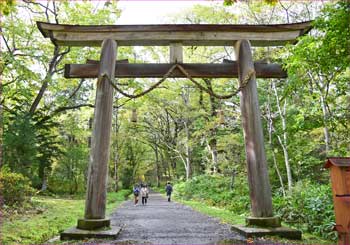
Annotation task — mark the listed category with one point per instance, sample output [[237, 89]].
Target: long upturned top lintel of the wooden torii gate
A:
[[188, 35]]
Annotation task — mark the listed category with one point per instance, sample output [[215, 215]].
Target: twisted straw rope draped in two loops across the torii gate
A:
[[243, 84]]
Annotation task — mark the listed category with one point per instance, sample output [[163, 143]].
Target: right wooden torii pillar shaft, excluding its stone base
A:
[[258, 179]]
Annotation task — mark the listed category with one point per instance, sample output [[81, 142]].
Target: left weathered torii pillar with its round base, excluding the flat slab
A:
[[95, 205]]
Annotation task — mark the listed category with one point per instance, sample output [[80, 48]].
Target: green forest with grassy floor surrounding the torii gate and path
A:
[[178, 132]]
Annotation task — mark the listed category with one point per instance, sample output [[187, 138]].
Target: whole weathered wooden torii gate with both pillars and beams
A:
[[113, 36]]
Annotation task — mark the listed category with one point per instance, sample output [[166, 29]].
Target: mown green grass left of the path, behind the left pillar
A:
[[52, 217]]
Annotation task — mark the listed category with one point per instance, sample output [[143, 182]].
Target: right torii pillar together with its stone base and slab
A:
[[262, 221]]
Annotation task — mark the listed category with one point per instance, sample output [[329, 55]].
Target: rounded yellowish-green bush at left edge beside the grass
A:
[[15, 188]]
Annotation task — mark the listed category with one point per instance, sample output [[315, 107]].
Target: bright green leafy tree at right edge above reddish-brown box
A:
[[318, 76]]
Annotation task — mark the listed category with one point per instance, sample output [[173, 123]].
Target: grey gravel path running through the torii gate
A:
[[161, 222]]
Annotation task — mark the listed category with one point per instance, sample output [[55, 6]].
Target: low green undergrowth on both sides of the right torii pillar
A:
[[308, 206]]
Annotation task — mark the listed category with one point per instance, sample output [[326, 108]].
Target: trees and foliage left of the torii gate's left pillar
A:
[[32, 138]]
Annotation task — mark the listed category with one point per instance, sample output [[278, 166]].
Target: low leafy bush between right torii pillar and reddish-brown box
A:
[[309, 207]]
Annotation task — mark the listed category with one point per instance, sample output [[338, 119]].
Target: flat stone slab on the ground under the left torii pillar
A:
[[78, 234]]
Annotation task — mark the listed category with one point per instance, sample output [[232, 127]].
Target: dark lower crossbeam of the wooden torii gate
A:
[[224, 70]]
